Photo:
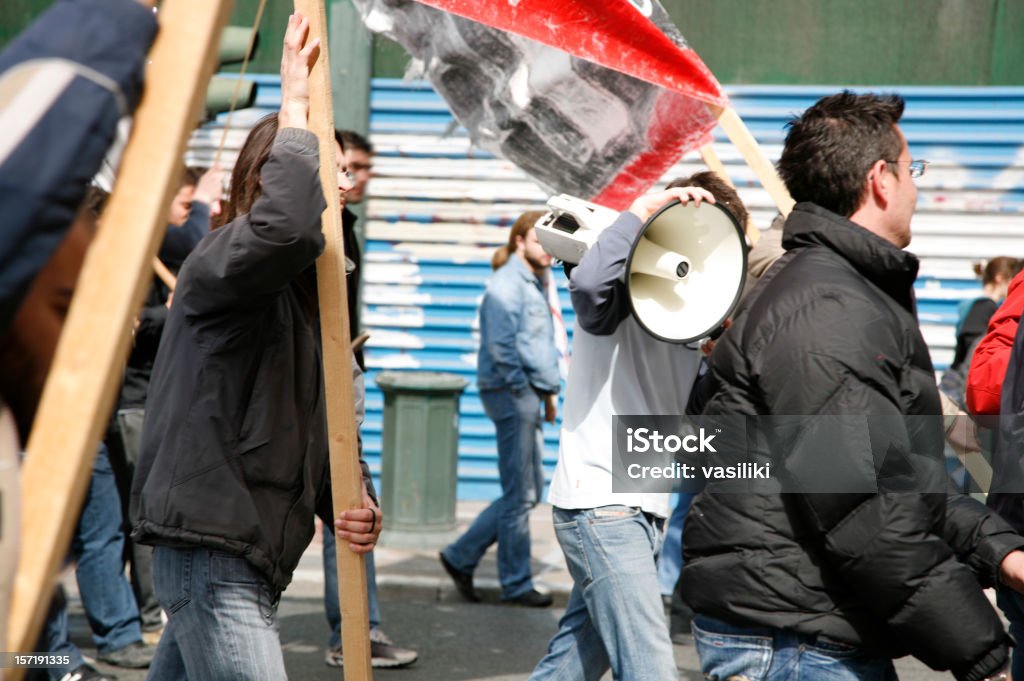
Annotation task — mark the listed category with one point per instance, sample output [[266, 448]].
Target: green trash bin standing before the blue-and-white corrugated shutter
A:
[[419, 457]]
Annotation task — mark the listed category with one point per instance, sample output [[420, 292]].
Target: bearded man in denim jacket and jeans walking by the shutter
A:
[[518, 369]]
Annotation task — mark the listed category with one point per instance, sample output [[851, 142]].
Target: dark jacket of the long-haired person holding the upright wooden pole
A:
[[235, 452]]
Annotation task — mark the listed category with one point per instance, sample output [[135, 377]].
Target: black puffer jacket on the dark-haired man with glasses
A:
[[833, 330]]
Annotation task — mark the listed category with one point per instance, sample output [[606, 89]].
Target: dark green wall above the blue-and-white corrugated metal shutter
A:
[[902, 42]]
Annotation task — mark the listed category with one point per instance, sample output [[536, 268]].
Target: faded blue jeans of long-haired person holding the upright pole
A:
[[223, 619]]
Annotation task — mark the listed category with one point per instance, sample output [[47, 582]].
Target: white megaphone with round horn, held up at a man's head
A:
[[685, 274]]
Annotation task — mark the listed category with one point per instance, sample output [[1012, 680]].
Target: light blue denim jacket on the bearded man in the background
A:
[[518, 347]]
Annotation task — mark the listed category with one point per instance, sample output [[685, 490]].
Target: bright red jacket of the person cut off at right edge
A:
[[989, 368]]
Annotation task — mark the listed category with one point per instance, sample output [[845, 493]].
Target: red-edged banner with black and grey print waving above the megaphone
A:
[[575, 126]]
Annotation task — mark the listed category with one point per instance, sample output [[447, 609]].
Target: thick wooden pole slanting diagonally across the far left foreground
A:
[[87, 371]]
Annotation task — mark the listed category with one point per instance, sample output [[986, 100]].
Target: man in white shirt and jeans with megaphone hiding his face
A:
[[620, 365]]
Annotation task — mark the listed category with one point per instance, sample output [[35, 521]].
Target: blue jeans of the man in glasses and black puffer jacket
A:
[[776, 655]]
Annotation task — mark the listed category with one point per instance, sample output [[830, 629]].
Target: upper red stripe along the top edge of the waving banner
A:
[[613, 33]]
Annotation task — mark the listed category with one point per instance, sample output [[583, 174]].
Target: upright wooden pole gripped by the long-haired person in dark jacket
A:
[[347, 478]]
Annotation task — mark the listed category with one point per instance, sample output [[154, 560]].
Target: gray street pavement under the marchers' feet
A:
[[457, 642]]
